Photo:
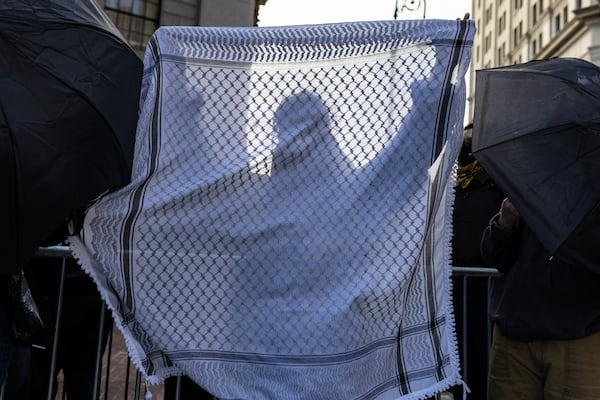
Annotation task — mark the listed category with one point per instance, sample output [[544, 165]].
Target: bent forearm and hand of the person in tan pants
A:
[[501, 238]]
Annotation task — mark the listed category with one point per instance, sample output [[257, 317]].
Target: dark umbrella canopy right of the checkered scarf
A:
[[537, 133]]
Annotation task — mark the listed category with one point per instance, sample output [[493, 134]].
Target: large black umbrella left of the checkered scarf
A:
[[69, 91]]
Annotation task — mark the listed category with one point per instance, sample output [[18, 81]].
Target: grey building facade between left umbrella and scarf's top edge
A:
[[138, 19]]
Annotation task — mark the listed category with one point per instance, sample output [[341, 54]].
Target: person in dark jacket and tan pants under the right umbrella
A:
[[546, 316]]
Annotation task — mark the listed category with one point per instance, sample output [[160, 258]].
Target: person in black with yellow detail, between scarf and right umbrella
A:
[[476, 200]]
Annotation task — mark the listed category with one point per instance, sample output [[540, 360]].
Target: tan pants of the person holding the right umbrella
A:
[[544, 370]]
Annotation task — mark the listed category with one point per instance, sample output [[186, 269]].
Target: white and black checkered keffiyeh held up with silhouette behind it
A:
[[286, 231]]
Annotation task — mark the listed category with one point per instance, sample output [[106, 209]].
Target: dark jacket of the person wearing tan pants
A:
[[538, 297]]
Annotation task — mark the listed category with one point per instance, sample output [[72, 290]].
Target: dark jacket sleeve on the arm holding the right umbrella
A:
[[500, 246]]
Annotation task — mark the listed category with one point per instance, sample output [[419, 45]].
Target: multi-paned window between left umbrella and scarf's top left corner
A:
[[136, 19]]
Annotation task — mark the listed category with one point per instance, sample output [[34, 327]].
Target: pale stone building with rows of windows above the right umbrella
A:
[[517, 31]]
